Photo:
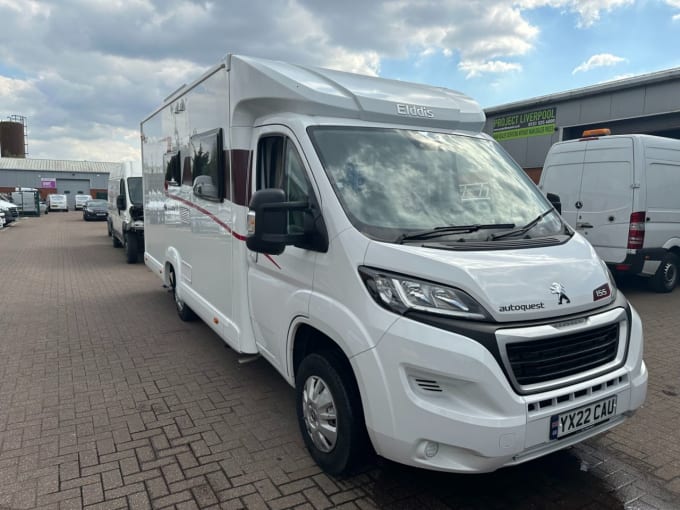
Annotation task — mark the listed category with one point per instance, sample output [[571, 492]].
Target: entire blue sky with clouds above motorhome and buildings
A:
[[85, 72]]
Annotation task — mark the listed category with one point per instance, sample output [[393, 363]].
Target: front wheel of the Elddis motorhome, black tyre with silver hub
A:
[[330, 373]]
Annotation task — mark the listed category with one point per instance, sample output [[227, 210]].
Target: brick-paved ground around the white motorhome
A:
[[108, 400]]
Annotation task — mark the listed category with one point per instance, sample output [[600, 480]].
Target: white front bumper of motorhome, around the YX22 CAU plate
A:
[[439, 400]]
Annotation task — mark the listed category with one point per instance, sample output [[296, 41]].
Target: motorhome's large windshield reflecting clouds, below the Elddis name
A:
[[395, 181]]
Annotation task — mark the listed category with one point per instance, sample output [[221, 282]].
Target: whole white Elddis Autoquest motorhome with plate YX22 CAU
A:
[[391, 261]]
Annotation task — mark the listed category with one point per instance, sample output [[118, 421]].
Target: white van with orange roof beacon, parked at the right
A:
[[621, 193]]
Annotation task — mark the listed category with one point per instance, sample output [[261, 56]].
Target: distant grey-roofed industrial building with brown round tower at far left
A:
[[47, 175]]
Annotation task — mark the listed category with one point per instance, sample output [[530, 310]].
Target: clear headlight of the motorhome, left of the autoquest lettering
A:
[[400, 294]]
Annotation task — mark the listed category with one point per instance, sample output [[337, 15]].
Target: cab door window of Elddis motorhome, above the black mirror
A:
[[280, 166]]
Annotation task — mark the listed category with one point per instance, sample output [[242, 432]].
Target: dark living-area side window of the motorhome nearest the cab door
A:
[[207, 165]]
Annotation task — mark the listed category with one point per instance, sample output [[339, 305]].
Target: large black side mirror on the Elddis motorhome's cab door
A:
[[268, 222]]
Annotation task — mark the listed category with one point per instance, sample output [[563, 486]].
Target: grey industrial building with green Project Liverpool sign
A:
[[648, 104]]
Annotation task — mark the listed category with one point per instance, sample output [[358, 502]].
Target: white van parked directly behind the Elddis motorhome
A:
[[126, 212]]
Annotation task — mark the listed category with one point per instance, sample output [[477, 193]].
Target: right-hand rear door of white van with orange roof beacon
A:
[[607, 188]]
